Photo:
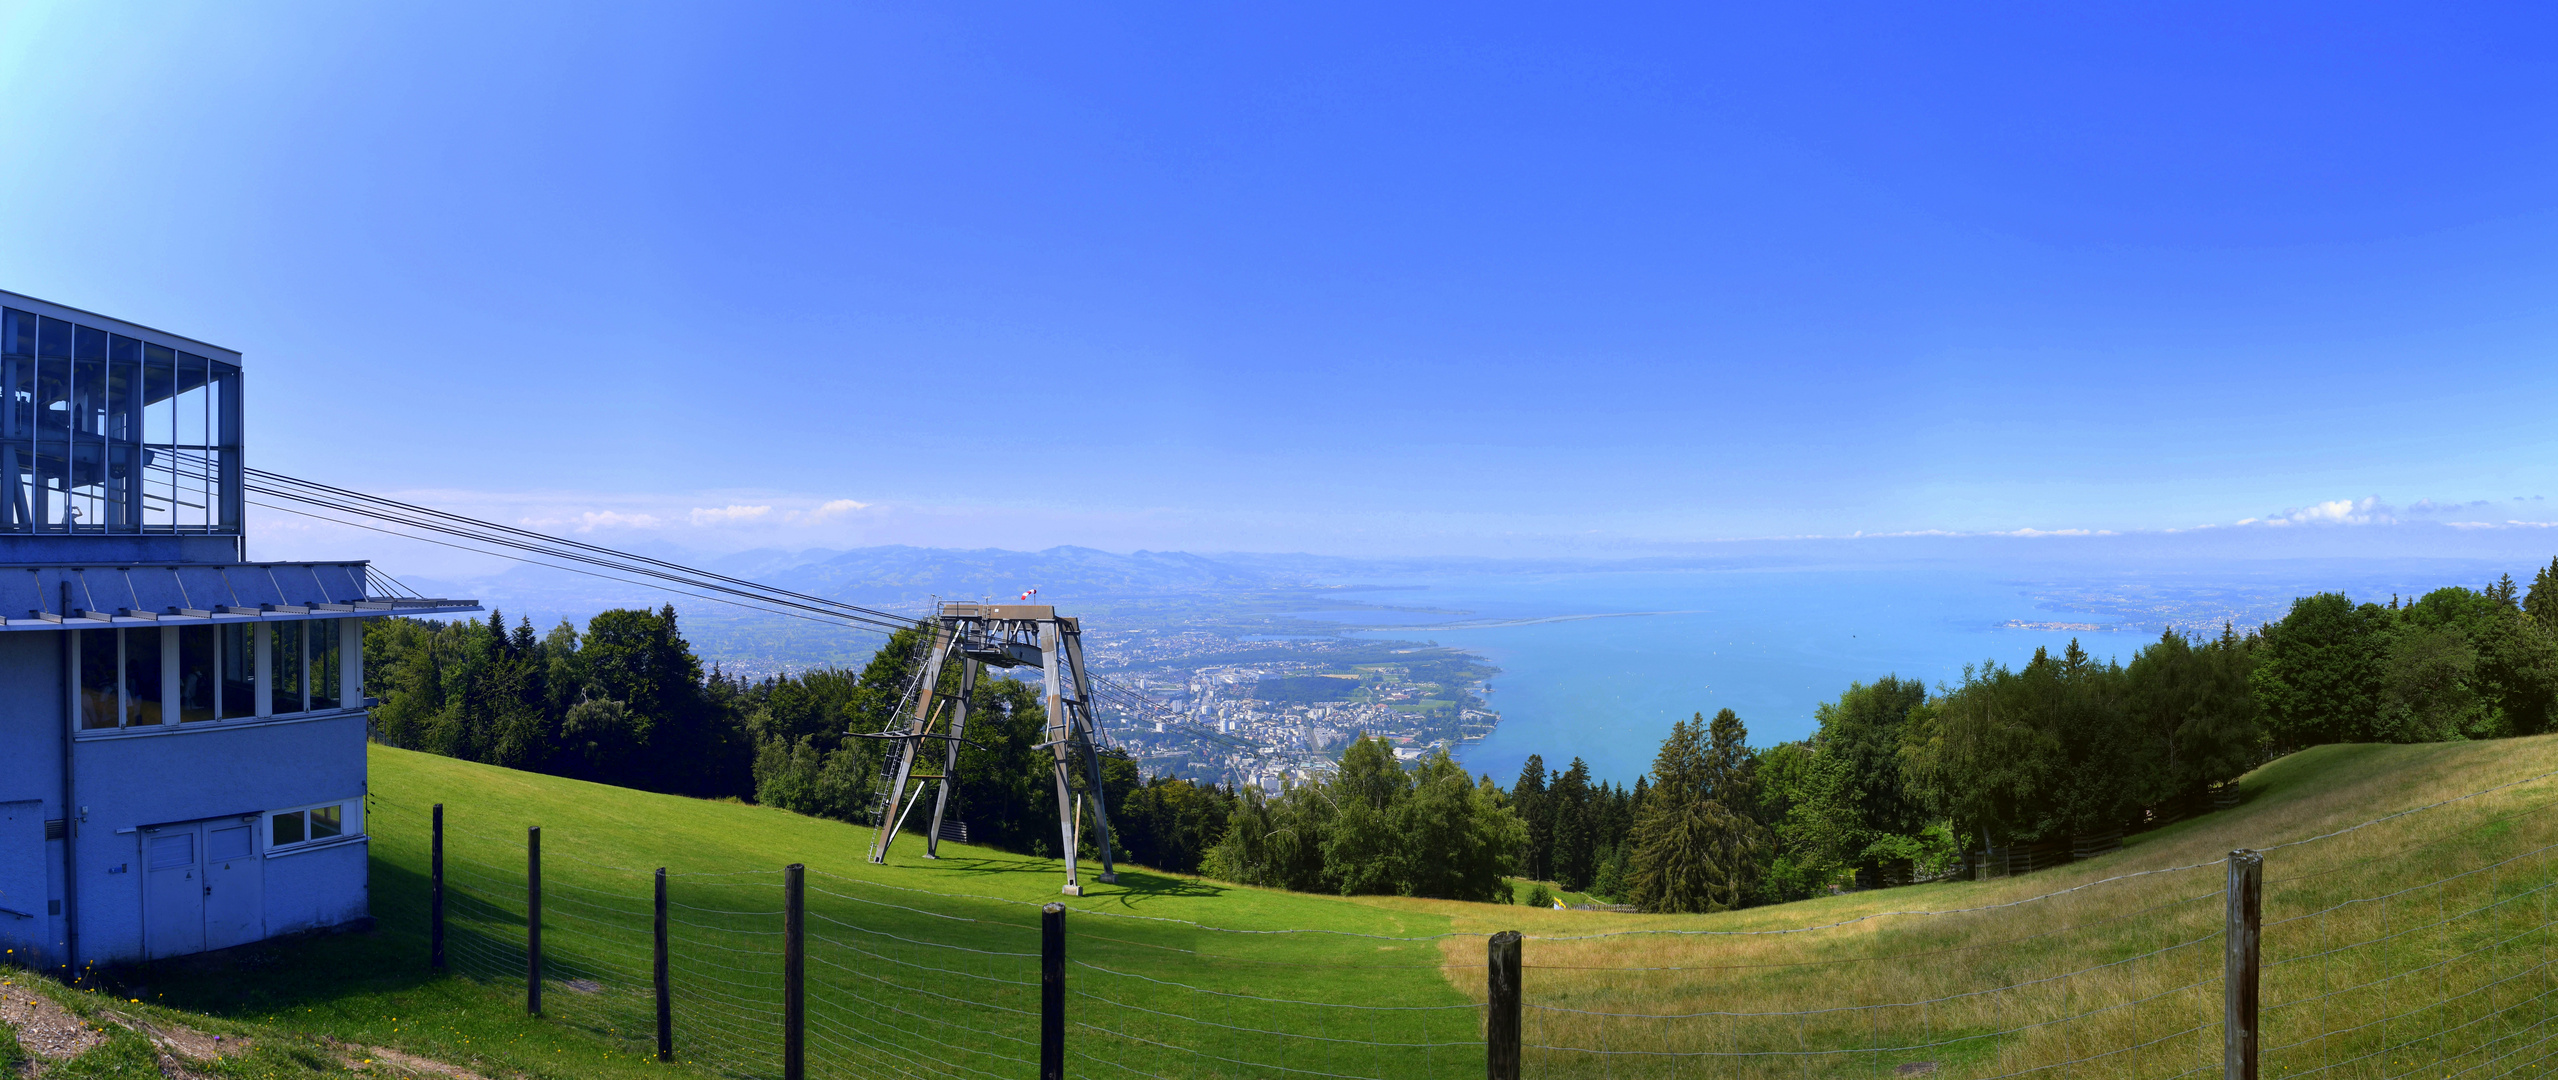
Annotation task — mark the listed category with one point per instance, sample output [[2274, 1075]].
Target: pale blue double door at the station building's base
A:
[[206, 887]]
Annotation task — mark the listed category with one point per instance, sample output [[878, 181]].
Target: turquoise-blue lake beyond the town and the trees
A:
[[1597, 664]]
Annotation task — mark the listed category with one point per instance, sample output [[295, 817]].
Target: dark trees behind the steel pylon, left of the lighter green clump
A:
[[628, 703]]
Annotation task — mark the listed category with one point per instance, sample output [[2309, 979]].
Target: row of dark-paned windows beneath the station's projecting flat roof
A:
[[155, 677]]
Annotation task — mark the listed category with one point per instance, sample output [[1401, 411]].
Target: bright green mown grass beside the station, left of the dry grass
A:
[[914, 966]]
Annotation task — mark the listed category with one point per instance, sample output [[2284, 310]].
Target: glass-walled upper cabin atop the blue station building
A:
[[109, 434]]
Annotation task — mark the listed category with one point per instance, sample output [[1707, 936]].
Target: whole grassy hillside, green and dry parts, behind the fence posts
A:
[[930, 969]]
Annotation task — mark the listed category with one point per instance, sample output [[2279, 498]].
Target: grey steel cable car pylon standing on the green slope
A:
[[996, 636]]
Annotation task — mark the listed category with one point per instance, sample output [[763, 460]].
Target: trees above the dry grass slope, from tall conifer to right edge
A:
[[1899, 779]]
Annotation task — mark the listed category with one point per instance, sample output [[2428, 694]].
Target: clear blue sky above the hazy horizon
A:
[[1344, 280]]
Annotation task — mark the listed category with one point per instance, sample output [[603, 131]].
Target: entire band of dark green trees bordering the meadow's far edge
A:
[[1897, 782]]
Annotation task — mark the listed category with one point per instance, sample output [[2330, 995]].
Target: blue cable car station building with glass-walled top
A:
[[180, 731]]
